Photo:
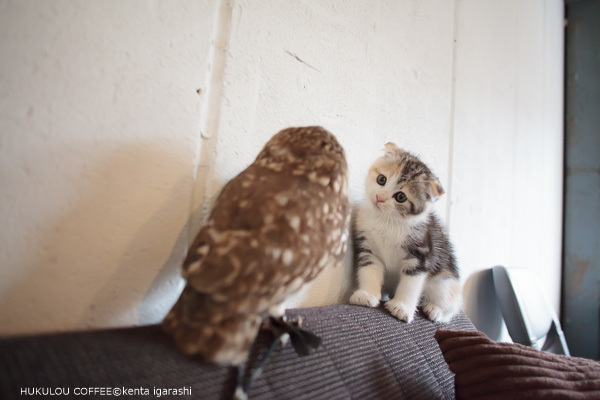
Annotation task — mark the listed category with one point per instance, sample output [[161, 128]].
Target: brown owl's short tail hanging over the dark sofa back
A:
[[199, 325]]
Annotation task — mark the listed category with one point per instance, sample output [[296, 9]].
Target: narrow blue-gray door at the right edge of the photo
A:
[[581, 272]]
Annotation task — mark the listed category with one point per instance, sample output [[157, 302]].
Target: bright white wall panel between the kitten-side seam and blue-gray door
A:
[[506, 188]]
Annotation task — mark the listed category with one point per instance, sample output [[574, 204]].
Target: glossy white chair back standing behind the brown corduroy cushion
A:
[[529, 317]]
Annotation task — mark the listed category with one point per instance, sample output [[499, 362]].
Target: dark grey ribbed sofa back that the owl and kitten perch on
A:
[[366, 353]]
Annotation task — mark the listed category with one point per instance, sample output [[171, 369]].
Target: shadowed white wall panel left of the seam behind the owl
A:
[[99, 127]]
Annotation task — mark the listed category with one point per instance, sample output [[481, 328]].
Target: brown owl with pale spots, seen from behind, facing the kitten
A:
[[272, 229]]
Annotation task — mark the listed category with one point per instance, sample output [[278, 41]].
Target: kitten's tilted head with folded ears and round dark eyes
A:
[[400, 183]]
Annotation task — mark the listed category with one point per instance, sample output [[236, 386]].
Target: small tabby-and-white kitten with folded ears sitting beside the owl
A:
[[400, 244]]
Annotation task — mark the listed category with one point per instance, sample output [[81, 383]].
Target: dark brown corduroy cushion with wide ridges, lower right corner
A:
[[485, 369]]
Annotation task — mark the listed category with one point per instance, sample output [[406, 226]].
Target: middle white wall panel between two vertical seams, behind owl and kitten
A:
[[370, 73]]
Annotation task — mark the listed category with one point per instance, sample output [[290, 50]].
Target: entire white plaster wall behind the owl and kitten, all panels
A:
[[109, 157]]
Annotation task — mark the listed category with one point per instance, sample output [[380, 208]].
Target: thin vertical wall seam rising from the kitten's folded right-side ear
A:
[[450, 183]]
